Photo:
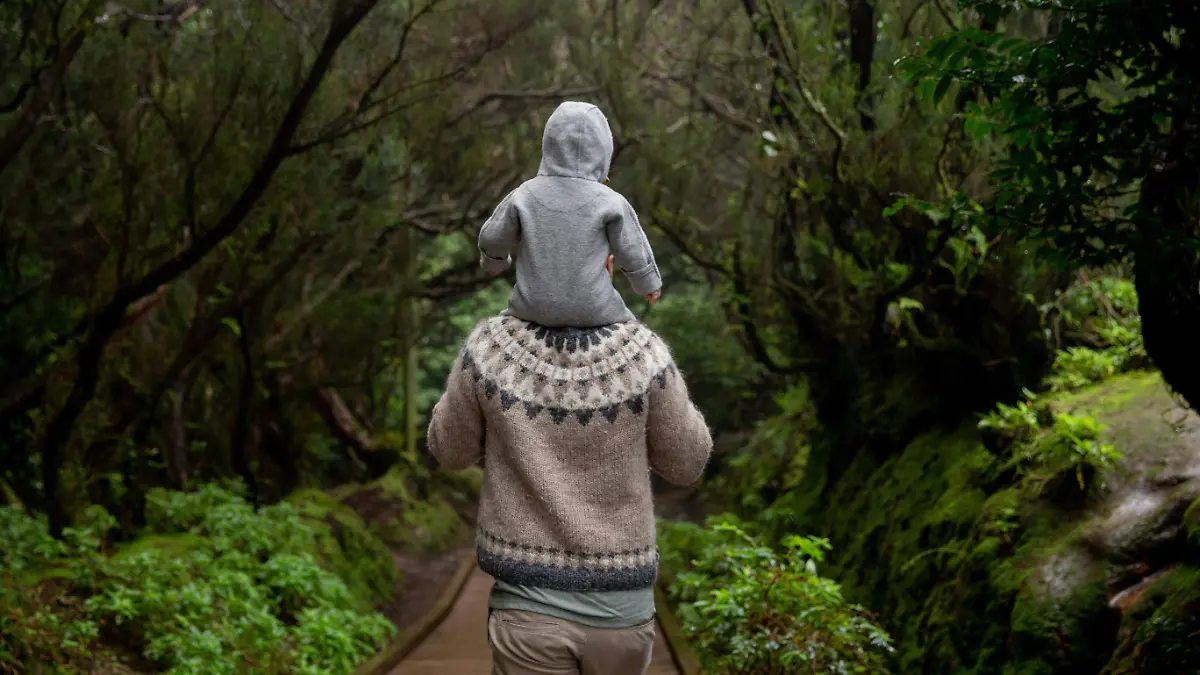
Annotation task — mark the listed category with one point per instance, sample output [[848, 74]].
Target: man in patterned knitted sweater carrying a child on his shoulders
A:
[[572, 422]]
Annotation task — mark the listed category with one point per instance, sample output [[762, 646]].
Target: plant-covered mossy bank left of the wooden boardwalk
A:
[[217, 586]]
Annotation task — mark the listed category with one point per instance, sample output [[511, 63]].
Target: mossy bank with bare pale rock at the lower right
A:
[[980, 570]]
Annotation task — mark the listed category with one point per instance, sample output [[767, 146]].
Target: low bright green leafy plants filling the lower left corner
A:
[[219, 588]]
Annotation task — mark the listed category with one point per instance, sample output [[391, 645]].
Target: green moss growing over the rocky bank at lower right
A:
[[975, 575]]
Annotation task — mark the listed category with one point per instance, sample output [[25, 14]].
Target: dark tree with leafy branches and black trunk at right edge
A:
[[1097, 104]]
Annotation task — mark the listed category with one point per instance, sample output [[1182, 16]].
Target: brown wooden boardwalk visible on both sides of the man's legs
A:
[[459, 646]]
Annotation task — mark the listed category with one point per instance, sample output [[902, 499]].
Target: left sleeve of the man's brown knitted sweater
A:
[[457, 427]]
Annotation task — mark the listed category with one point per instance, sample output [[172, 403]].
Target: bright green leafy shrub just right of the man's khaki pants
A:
[[751, 608]]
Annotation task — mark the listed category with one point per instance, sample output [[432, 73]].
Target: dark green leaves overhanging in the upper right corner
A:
[[1087, 106]]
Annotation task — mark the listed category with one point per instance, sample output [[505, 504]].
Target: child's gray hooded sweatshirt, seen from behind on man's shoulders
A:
[[562, 226]]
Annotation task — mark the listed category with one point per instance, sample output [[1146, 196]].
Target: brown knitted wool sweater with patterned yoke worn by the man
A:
[[569, 423]]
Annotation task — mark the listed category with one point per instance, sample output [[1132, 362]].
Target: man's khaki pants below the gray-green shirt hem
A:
[[525, 643]]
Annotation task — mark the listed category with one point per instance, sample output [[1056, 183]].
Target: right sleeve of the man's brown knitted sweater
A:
[[677, 437]]
